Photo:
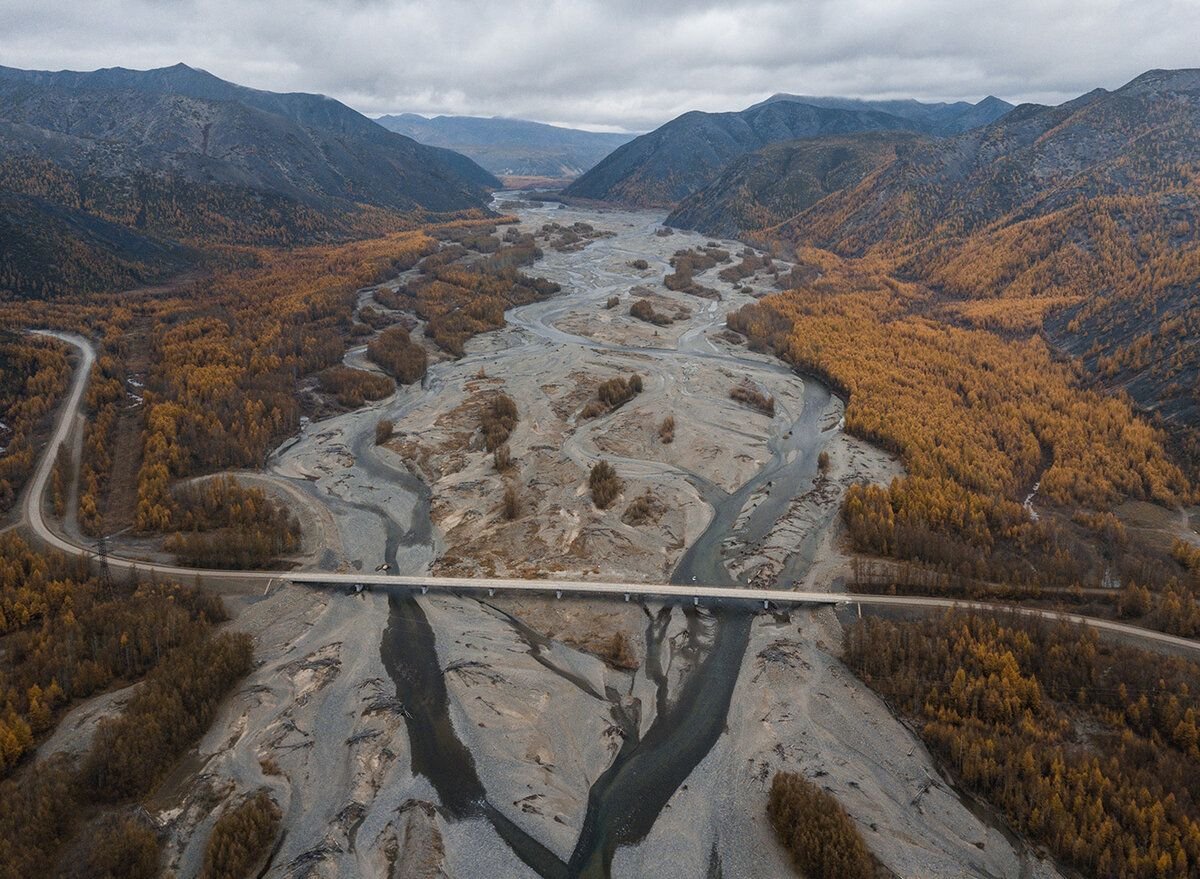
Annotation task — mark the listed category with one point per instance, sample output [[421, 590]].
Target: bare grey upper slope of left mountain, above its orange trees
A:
[[194, 125]]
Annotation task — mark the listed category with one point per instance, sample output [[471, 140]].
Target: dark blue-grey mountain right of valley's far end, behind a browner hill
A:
[[688, 153]]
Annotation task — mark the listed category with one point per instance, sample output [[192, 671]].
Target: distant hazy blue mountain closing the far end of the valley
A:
[[512, 147]]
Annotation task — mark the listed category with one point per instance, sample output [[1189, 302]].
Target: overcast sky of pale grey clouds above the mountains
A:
[[619, 64]]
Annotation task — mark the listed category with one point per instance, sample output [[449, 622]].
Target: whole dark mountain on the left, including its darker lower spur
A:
[[179, 156]]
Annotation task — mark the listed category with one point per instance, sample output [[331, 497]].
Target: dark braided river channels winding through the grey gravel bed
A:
[[628, 798]]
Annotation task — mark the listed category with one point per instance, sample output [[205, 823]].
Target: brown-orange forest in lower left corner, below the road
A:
[[70, 636]]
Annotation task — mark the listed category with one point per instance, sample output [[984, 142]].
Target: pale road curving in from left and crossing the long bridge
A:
[[33, 515]]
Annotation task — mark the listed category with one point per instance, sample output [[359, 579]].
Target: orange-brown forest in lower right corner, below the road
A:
[[1087, 749]]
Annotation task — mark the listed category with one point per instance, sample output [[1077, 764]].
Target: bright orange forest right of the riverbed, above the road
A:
[[980, 420]]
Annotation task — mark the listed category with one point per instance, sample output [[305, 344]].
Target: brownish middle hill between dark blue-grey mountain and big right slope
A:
[[766, 189]]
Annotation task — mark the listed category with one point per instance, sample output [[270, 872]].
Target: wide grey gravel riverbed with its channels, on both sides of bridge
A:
[[455, 738]]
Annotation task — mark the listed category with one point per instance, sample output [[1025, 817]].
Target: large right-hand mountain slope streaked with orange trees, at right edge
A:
[[1088, 213]]
